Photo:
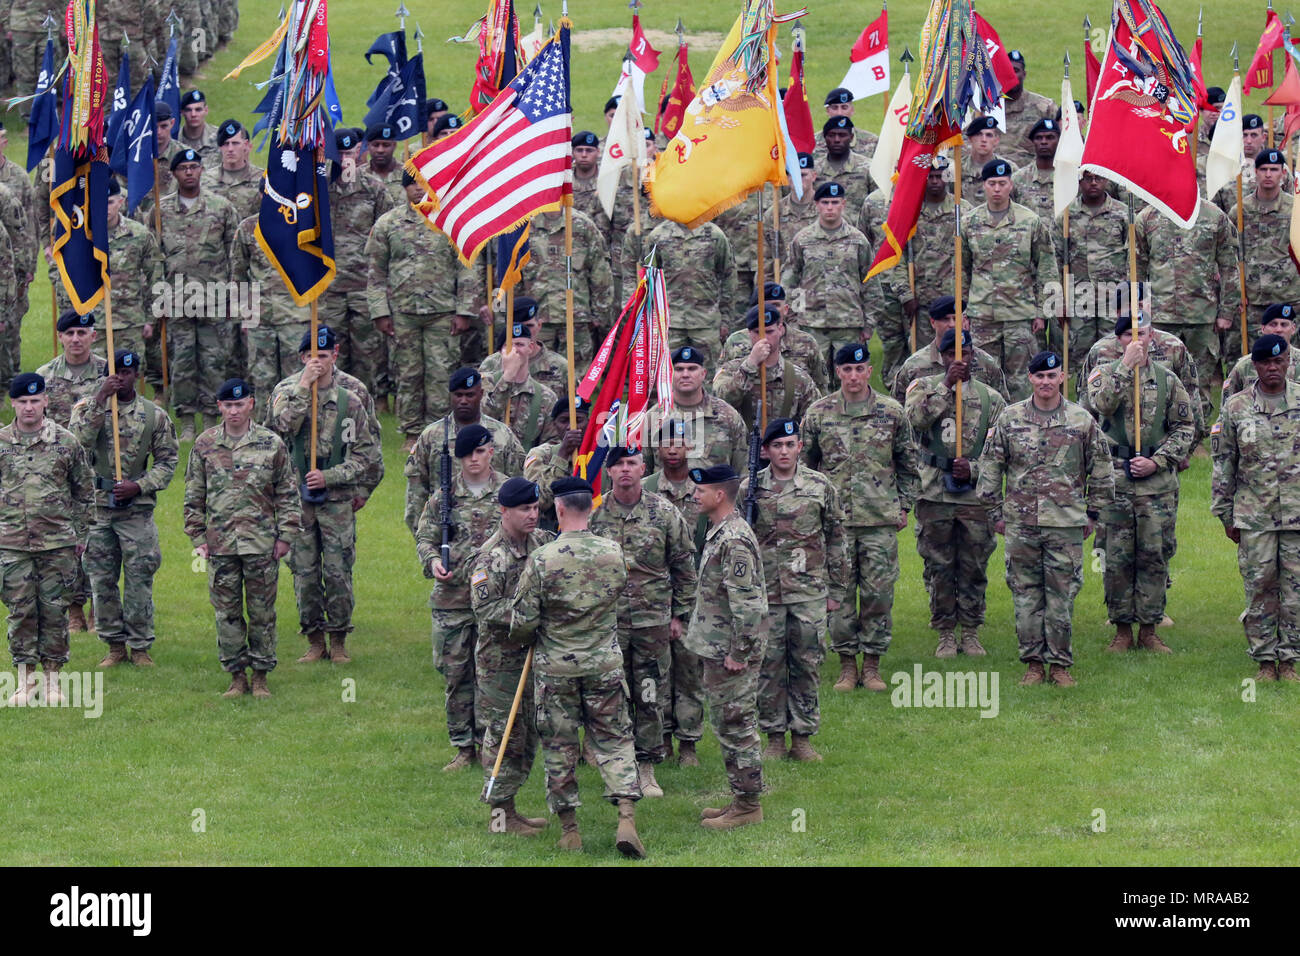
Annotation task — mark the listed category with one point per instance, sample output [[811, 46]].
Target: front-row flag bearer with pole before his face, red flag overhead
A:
[[955, 537]]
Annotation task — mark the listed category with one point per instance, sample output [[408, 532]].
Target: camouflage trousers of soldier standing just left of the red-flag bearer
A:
[[865, 626]]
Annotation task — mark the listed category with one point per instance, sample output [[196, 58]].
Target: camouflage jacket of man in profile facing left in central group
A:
[[731, 598]]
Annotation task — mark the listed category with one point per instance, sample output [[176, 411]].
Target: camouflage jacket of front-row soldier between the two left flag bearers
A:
[[240, 494]]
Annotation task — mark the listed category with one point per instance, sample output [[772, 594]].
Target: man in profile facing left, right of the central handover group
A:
[[726, 633]]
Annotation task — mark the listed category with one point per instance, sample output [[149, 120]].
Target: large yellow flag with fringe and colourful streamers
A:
[[733, 137]]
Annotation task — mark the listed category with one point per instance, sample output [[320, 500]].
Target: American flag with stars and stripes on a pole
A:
[[510, 162]]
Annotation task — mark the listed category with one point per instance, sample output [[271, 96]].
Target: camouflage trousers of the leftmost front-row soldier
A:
[[34, 587]]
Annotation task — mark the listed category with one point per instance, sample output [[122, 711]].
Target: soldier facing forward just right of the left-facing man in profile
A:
[[800, 534]]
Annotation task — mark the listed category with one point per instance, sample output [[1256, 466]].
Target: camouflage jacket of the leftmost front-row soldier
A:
[[46, 490]]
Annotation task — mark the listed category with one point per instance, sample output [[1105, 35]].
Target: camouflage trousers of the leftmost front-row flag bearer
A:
[[124, 546]]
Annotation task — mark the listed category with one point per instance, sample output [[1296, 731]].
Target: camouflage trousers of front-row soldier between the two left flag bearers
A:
[[236, 581]]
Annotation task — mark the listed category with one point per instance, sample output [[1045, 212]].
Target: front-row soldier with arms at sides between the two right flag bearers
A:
[[1056, 465]]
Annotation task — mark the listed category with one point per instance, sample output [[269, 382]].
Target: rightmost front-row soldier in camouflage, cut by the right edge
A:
[[1256, 494]]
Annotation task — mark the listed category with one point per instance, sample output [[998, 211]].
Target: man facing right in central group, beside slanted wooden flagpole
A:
[[499, 664]]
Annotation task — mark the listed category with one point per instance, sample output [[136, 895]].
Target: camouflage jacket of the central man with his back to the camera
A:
[[566, 604]]
